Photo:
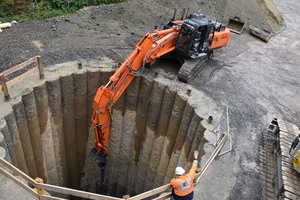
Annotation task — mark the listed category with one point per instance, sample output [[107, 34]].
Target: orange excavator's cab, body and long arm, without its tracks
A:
[[188, 38]]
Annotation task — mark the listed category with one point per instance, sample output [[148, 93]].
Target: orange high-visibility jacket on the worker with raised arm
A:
[[183, 185]]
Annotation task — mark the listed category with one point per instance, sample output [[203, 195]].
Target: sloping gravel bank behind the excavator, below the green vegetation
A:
[[93, 32]]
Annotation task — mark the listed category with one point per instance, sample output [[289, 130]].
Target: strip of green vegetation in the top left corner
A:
[[42, 9]]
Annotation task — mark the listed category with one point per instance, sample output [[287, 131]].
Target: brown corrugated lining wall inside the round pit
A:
[[47, 131]]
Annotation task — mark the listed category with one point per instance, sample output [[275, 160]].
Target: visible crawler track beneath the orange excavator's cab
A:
[[191, 67]]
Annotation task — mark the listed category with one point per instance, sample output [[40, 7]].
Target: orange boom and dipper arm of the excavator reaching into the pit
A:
[[151, 47]]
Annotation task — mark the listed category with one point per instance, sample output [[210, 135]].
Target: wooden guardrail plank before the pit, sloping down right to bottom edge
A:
[[74, 192]]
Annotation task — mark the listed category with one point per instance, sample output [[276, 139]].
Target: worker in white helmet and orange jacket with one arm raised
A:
[[183, 183]]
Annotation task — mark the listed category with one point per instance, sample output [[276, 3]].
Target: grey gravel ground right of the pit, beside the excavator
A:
[[258, 82]]
